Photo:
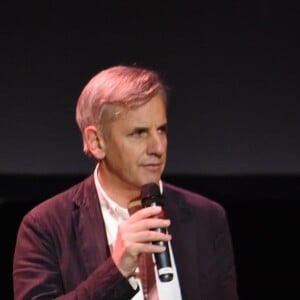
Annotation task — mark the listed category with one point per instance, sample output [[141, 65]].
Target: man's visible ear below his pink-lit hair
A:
[[94, 142]]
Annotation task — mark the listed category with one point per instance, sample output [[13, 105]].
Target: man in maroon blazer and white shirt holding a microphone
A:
[[84, 244]]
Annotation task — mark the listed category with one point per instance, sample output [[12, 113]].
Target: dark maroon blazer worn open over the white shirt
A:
[[62, 252]]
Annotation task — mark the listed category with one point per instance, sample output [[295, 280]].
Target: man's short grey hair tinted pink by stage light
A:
[[124, 85]]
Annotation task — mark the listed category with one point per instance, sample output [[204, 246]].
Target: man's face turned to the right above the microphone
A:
[[135, 146]]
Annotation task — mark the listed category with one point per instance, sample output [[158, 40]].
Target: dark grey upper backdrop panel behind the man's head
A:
[[232, 67]]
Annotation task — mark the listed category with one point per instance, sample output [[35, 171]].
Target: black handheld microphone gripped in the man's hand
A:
[[151, 196]]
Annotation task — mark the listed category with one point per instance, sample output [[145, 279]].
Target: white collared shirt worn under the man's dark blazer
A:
[[113, 215]]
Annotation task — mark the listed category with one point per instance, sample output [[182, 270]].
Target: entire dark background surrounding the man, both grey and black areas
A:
[[233, 72]]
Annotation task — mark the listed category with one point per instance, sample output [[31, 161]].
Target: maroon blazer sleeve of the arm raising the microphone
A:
[[36, 271]]
